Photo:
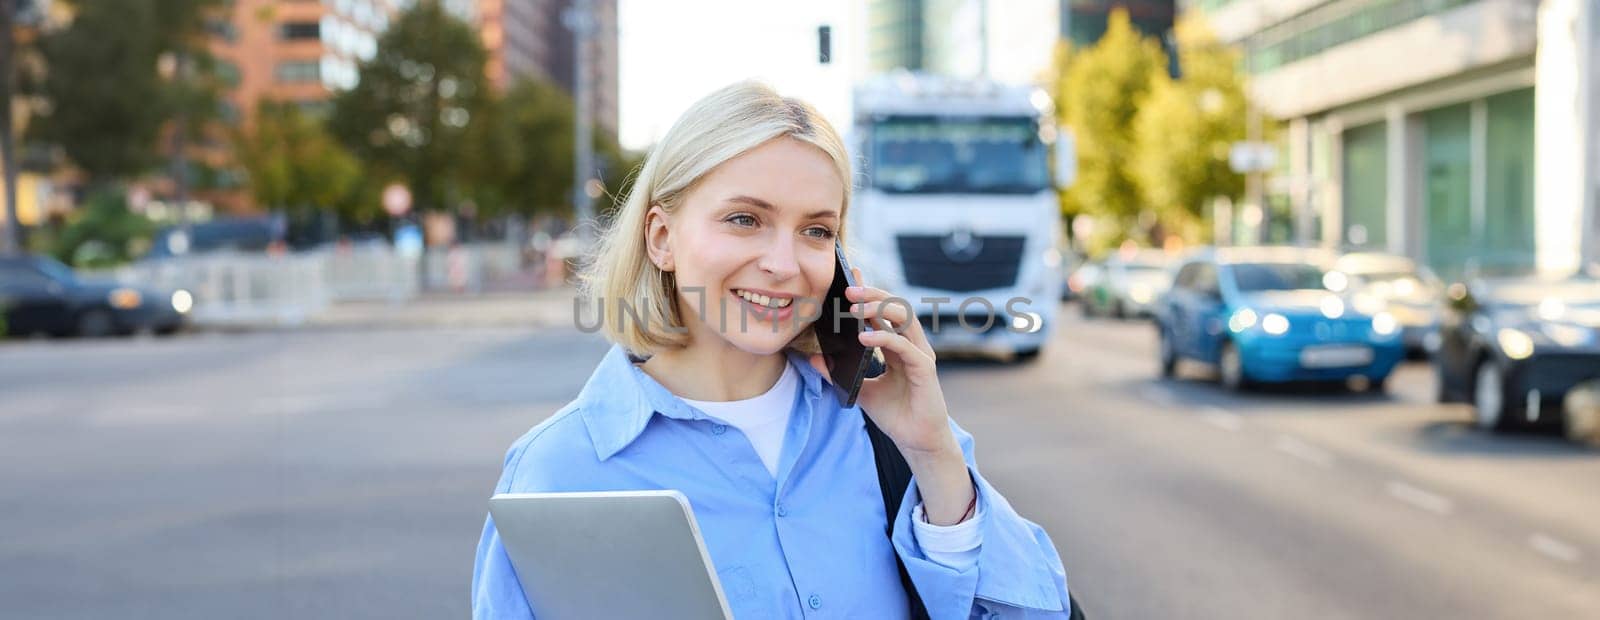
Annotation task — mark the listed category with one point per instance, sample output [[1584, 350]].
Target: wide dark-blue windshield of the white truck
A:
[[959, 156]]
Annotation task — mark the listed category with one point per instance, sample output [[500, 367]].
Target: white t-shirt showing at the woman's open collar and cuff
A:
[[766, 419]]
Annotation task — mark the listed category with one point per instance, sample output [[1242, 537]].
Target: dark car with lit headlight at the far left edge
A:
[[42, 296]]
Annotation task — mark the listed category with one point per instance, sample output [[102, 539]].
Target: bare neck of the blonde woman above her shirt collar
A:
[[724, 373]]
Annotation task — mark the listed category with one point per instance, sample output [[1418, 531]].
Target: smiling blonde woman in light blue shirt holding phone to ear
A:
[[714, 387]]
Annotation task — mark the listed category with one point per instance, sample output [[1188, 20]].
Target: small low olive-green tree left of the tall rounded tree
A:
[[294, 164]]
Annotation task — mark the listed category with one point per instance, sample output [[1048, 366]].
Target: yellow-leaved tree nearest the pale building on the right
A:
[[1185, 130]]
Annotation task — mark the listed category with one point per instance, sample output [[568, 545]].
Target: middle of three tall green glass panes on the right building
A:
[[1447, 186]]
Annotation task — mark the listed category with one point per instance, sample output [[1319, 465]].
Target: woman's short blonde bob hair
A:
[[718, 129]]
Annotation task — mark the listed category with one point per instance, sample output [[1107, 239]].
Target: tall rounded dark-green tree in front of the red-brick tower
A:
[[414, 109]]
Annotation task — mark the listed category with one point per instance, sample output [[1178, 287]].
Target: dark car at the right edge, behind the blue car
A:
[[1524, 352]]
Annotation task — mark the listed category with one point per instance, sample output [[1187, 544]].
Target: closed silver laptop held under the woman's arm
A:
[[609, 555]]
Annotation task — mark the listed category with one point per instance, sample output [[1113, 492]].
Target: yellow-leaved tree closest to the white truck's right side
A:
[[1100, 95]]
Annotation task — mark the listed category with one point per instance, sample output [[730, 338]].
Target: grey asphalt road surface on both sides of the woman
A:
[[343, 475]]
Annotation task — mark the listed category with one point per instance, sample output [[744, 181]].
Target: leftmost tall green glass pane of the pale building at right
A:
[[1366, 186]]
